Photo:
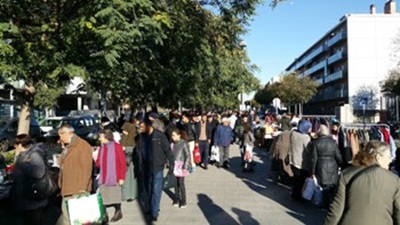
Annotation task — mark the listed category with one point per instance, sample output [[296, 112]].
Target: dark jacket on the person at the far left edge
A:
[[29, 166]]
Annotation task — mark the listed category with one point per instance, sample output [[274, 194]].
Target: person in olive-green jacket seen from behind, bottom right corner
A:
[[367, 193]]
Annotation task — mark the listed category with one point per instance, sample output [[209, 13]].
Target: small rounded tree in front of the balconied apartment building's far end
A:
[[292, 89]]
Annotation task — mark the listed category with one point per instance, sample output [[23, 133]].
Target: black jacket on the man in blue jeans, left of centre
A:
[[160, 152]]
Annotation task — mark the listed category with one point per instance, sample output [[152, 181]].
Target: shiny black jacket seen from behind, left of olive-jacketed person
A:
[[325, 159]]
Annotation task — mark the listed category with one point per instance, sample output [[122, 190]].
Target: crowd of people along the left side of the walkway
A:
[[130, 162]]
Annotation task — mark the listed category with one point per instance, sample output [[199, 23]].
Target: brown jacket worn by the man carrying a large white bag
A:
[[76, 168]]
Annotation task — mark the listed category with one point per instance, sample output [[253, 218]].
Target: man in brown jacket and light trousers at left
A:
[[76, 164]]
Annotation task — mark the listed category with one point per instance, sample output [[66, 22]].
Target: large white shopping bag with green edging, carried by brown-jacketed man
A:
[[86, 209]]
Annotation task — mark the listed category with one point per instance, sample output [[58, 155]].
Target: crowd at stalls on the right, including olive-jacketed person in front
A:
[[360, 189]]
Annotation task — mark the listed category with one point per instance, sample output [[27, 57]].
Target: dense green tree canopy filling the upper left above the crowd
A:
[[140, 51]]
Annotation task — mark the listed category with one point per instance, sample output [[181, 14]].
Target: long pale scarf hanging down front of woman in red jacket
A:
[[110, 166]]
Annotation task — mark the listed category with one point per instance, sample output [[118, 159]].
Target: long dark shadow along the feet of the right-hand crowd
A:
[[259, 182]]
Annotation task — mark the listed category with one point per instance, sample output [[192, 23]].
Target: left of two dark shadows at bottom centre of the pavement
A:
[[214, 214]]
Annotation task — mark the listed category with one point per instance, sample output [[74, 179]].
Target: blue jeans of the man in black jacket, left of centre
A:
[[155, 192]]
